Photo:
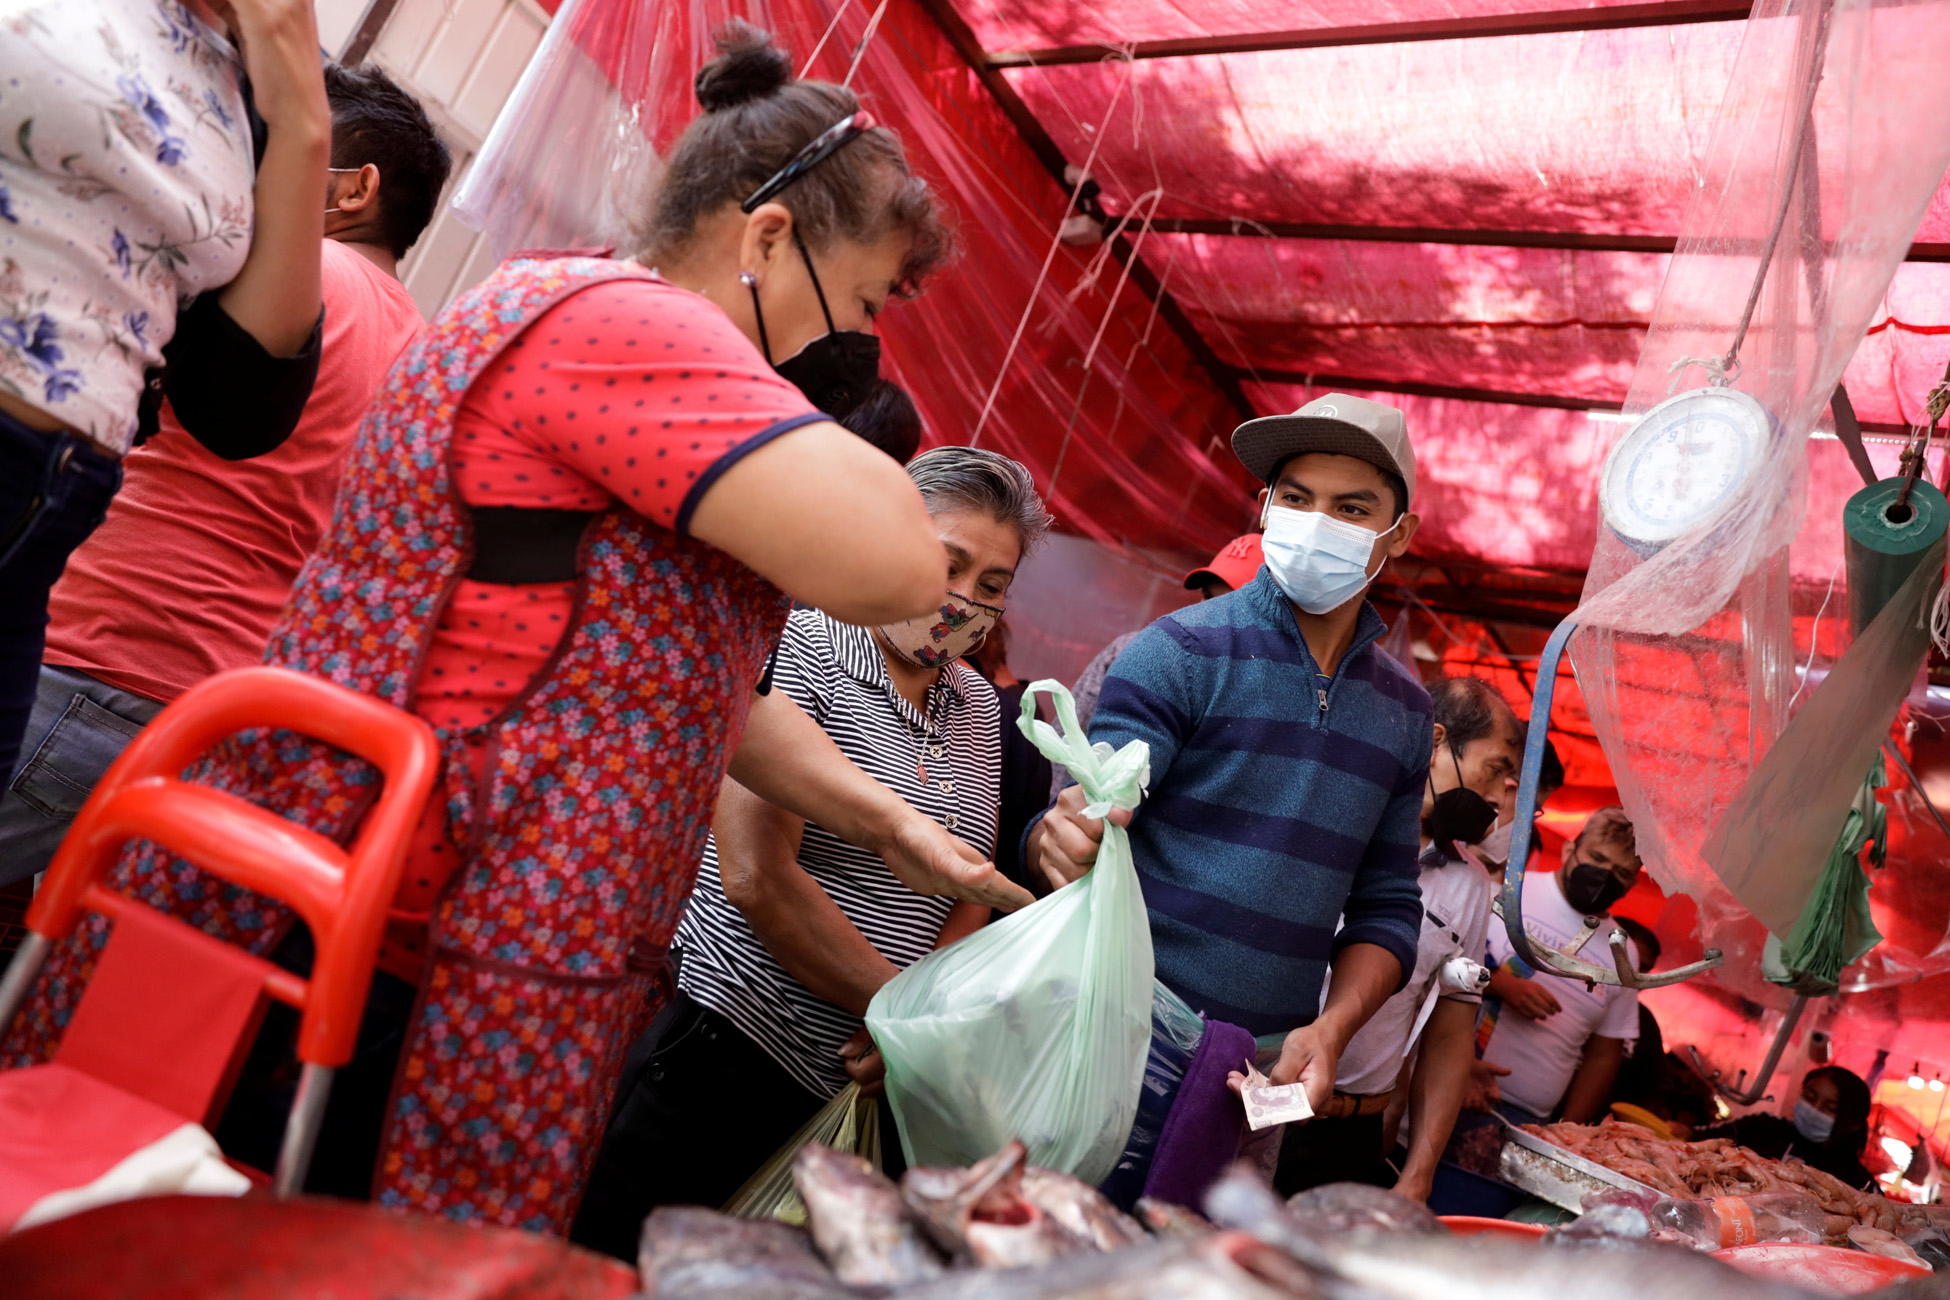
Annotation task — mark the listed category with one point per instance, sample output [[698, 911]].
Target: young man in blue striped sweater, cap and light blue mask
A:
[[1288, 755]]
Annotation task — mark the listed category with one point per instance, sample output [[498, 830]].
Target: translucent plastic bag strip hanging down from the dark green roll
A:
[[1777, 837]]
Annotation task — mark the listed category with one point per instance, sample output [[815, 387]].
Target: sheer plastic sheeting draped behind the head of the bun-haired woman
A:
[[1130, 451]]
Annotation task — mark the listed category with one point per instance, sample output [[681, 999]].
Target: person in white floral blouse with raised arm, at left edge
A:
[[145, 225]]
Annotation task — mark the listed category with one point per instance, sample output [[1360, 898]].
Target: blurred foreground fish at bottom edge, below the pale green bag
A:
[[1224, 1266]]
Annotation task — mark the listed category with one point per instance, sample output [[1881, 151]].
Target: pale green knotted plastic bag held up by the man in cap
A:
[[1036, 1028]]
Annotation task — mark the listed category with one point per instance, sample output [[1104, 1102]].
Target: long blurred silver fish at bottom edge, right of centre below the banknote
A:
[[1411, 1266]]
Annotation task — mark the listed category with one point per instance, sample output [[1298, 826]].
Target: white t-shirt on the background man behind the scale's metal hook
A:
[[1543, 1055]]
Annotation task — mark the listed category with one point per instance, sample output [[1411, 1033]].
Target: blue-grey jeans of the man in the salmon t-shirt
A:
[[75, 732]]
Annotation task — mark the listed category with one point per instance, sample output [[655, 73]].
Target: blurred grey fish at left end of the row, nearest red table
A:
[[695, 1252]]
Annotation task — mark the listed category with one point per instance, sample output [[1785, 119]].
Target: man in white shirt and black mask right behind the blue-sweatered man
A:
[[1473, 777]]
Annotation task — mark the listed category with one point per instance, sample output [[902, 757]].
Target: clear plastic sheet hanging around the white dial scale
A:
[[1692, 650]]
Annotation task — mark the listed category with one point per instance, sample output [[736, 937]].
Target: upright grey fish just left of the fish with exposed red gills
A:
[[859, 1221]]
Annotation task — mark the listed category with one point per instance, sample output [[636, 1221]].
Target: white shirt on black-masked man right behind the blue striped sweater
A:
[[1456, 921]]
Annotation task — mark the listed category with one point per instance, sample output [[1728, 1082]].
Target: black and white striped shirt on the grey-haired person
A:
[[838, 675]]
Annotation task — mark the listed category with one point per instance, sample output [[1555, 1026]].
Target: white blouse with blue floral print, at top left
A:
[[126, 190]]
